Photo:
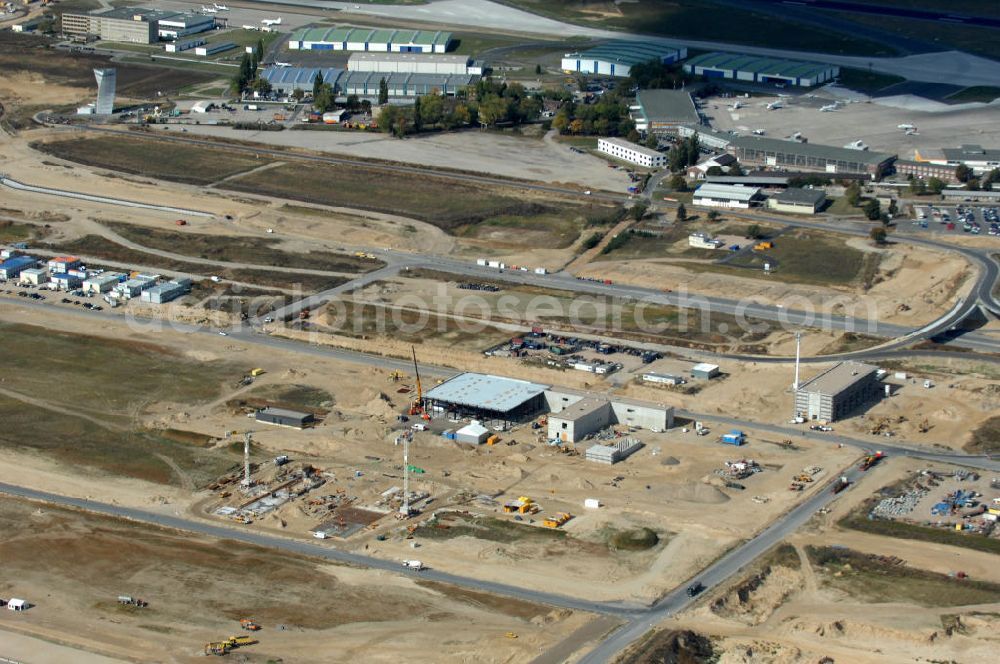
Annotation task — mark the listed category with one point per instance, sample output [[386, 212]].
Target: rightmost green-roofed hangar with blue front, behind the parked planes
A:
[[754, 69]]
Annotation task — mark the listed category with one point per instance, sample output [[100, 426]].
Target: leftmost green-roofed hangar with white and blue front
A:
[[347, 38]]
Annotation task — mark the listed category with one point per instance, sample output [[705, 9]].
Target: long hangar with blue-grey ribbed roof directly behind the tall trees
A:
[[286, 80]]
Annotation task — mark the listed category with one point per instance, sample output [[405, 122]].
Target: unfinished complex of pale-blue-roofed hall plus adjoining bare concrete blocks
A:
[[574, 415]]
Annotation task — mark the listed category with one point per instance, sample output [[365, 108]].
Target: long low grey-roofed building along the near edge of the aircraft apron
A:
[[808, 157]]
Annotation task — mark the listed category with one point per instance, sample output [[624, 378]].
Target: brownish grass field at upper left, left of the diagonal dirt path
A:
[[179, 163]]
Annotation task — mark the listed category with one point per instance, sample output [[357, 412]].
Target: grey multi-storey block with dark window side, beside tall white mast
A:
[[838, 392]]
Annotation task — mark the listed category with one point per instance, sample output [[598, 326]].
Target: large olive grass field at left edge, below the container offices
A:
[[112, 383]]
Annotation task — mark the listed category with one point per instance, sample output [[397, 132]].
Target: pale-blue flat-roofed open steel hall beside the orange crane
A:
[[487, 398]]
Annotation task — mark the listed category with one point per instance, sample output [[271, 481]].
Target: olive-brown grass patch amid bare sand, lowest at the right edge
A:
[[871, 580]]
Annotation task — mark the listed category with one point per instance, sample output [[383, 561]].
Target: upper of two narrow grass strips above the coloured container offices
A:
[[251, 250]]
